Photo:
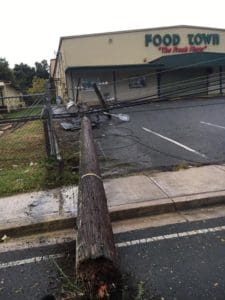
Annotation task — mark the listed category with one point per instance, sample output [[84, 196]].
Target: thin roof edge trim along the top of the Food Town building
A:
[[126, 31]]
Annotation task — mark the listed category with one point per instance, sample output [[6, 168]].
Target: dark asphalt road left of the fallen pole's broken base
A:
[[32, 274]]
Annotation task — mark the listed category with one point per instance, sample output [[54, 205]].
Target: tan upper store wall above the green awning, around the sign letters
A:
[[125, 48]]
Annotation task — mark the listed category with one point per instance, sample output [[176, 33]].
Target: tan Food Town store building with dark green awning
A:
[[159, 63]]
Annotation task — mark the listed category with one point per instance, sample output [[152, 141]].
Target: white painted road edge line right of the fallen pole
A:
[[170, 236]]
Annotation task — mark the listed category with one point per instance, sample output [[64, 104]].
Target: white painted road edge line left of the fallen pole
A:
[[30, 260]]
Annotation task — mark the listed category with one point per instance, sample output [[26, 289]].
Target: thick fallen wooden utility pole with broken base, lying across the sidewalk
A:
[[96, 257]]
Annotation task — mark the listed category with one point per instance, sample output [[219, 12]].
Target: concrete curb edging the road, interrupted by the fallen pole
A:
[[121, 212]]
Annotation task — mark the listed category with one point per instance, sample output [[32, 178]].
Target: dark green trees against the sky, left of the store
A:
[[24, 77]]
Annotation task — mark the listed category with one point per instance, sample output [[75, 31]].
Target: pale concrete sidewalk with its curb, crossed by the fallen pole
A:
[[128, 197]]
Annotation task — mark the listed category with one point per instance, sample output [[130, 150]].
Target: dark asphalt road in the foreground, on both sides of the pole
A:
[[179, 261]]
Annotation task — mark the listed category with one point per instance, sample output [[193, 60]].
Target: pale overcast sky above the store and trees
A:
[[31, 29]]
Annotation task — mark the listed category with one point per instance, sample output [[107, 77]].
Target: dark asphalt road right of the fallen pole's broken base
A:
[[188, 267]]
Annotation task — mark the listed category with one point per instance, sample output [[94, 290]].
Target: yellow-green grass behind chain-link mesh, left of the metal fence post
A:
[[22, 156]]
